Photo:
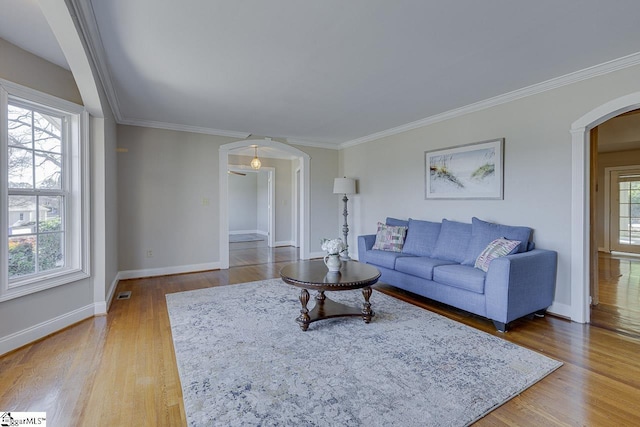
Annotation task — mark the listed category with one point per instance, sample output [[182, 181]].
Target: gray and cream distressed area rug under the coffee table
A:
[[243, 360]]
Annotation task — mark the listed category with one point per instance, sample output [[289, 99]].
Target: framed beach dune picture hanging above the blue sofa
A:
[[471, 171]]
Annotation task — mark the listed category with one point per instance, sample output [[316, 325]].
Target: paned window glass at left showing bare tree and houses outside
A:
[[36, 191]]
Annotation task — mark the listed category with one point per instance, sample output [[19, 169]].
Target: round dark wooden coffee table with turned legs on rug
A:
[[313, 275]]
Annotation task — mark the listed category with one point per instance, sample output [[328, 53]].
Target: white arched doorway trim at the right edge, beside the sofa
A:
[[580, 198]]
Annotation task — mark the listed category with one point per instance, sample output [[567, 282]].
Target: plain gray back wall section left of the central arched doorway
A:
[[165, 179]]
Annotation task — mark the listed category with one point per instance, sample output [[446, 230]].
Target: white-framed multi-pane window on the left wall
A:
[[44, 191]]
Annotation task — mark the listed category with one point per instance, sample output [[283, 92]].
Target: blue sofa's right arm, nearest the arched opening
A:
[[520, 284]]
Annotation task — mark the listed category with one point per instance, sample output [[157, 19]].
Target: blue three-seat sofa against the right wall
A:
[[437, 261]]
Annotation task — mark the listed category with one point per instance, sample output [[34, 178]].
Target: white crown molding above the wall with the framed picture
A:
[[567, 79]]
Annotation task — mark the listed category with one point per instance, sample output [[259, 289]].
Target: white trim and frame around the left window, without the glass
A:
[[78, 225]]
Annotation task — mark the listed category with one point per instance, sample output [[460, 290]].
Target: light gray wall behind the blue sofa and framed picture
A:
[[537, 166]]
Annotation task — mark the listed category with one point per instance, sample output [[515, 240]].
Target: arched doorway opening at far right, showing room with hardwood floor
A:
[[615, 268]]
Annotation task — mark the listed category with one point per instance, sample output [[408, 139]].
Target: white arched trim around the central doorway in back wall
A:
[[223, 214]]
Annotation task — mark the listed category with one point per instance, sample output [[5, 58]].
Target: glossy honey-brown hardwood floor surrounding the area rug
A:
[[120, 368]]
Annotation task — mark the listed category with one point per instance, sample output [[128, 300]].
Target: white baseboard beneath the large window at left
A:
[[41, 330]]
